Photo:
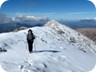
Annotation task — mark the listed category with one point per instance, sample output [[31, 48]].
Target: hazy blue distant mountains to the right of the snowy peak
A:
[[83, 23]]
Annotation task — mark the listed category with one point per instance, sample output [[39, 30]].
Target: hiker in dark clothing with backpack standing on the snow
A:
[[30, 40]]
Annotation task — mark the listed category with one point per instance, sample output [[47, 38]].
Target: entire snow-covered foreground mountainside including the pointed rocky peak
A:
[[57, 48]]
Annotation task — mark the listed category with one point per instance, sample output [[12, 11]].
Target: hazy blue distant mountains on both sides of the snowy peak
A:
[[10, 24]]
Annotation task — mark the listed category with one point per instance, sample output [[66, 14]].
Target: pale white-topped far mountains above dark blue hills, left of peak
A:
[[29, 19]]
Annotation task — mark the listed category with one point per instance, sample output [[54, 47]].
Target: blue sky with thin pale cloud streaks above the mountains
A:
[[53, 9]]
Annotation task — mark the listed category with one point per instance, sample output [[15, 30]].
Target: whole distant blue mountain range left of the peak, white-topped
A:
[[10, 24]]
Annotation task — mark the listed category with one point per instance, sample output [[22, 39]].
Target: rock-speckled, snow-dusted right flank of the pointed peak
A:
[[73, 37]]
